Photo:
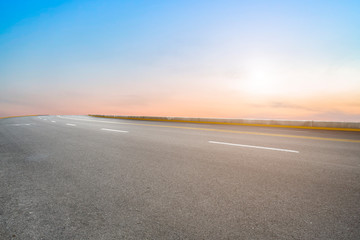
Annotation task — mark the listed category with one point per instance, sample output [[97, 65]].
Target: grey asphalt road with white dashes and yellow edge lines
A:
[[79, 177]]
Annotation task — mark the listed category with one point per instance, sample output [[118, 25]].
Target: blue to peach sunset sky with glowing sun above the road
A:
[[228, 59]]
